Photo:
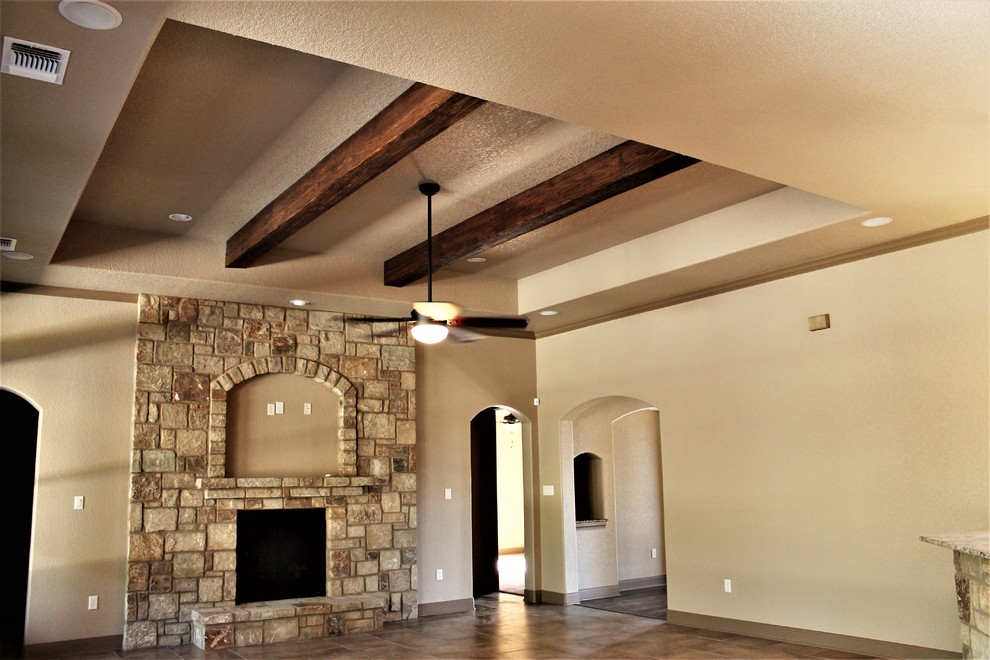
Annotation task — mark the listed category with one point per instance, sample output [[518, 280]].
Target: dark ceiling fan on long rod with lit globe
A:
[[433, 321]]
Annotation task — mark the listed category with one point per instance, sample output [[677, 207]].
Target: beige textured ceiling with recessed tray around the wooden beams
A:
[[808, 117]]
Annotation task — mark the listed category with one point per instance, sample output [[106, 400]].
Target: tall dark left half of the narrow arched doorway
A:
[[484, 503]]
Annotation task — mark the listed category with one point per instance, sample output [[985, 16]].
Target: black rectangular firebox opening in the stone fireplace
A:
[[281, 553]]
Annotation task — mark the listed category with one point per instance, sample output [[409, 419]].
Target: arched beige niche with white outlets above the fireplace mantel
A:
[[299, 439]]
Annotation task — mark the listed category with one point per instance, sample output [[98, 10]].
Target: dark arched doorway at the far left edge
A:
[[21, 439]]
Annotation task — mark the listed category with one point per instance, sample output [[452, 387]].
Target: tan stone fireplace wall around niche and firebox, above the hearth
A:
[[183, 507]]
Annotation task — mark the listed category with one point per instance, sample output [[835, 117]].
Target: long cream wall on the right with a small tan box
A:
[[804, 466]]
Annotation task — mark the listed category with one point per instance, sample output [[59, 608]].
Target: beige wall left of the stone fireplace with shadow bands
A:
[[74, 359]]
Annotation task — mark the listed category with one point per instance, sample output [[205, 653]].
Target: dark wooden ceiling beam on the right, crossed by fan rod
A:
[[613, 172]]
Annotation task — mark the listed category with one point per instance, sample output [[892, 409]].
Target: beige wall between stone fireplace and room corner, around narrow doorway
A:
[[454, 383]]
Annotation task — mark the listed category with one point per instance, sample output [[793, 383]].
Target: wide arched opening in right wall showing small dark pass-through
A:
[[612, 497]]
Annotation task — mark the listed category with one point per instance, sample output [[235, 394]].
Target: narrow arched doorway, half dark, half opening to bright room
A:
[[500, 521]]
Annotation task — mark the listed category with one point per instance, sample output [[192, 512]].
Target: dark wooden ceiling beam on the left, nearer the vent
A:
[[418, 115]]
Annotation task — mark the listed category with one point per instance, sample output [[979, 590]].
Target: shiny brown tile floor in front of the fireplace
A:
[[502, 626]]
